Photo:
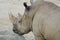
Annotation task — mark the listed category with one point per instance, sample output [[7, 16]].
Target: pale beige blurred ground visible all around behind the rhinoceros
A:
[[15, 7]]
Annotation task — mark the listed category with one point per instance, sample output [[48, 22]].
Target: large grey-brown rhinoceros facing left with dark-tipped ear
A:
[[41, 17]]
